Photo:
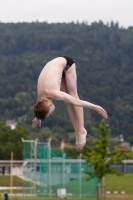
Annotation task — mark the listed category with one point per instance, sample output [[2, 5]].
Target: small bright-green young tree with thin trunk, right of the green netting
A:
[[100, 157]]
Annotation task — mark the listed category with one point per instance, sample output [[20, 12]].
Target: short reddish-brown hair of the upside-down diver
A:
[[41, 109]]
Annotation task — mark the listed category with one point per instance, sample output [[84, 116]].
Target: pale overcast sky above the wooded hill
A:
[[53, 11]]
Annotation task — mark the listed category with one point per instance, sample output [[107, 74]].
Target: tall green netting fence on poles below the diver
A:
[[51, 173]]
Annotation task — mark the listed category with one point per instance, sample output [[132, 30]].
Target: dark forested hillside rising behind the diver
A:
[[104, 59]]
